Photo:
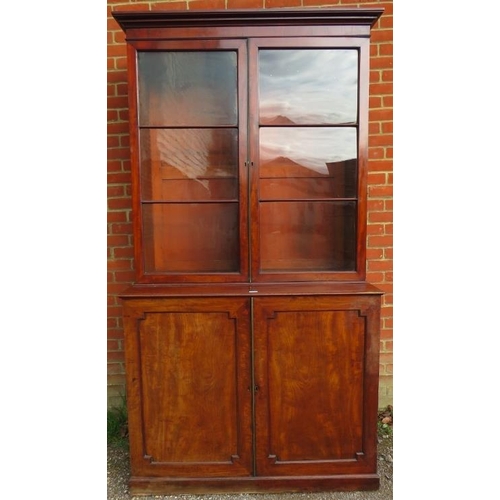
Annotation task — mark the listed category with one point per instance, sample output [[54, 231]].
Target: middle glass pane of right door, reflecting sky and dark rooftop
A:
[[308, 162]]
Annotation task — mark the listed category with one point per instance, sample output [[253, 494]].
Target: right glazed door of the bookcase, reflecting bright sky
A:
[[308, 173]]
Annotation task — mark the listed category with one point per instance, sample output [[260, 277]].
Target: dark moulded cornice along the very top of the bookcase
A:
[[247, 17]]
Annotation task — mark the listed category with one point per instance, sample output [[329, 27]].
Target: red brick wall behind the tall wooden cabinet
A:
[[120, 254]]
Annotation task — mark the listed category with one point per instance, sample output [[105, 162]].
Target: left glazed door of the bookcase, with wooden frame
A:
[[192, 143]]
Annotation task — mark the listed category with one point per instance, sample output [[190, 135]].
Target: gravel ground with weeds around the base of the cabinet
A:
[[119, 472]]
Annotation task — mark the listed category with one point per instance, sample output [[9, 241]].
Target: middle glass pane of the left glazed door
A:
[[189, 164]]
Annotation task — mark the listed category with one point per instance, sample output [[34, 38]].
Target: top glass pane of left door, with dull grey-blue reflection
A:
[[187, 88]]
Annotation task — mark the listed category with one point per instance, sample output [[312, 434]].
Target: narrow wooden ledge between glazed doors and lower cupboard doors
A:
[[249, 290]]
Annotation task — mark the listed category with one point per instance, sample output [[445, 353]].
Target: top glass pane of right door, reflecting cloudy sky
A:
[[308, 86]]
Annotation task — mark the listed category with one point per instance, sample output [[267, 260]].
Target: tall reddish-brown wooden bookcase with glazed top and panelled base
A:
[[251, 336]]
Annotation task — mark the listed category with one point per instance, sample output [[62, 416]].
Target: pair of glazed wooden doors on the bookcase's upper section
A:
[[250, 160]]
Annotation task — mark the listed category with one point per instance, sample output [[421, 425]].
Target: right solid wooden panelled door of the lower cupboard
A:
[[316, 374]]
